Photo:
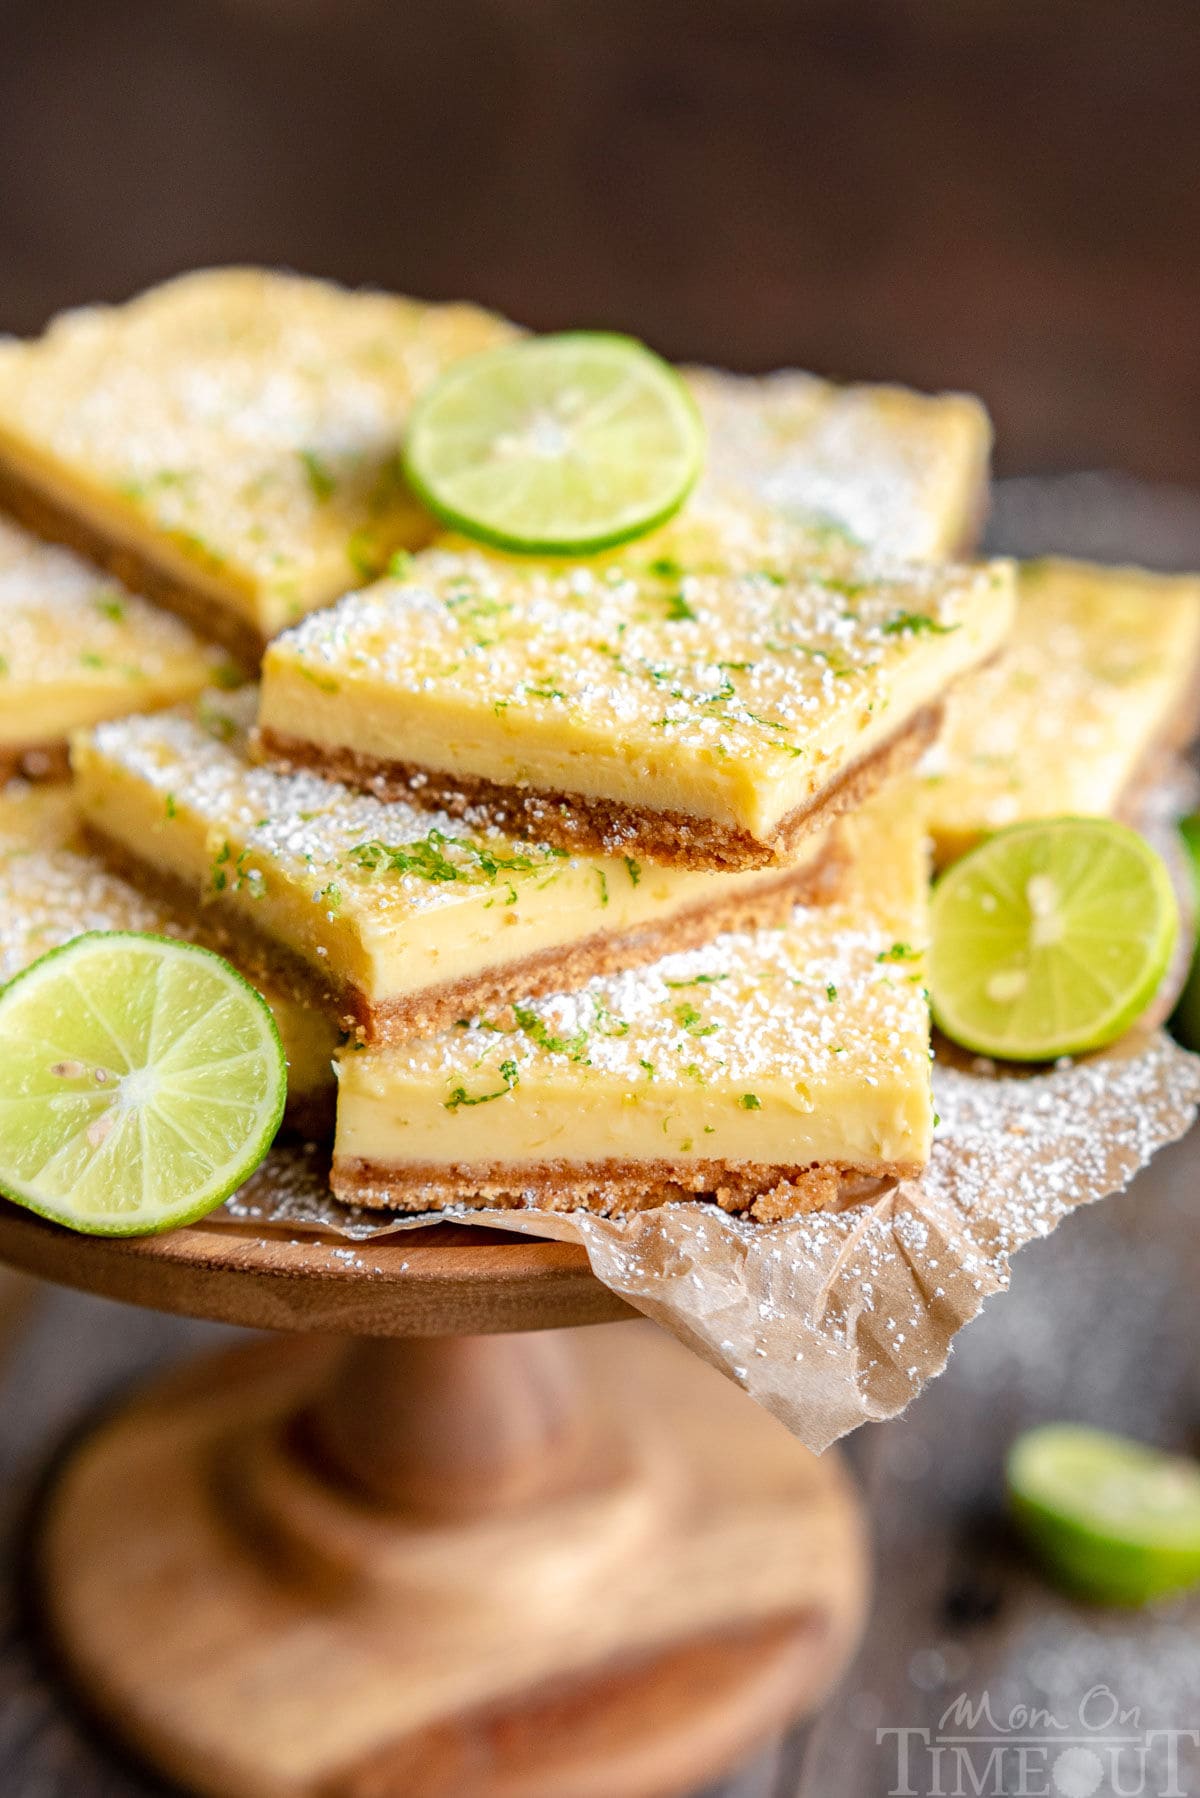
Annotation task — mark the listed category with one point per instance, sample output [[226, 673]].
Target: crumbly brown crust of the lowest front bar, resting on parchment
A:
[[766, 1193]]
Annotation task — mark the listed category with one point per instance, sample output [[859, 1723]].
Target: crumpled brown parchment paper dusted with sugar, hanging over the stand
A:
[[839, 1319]]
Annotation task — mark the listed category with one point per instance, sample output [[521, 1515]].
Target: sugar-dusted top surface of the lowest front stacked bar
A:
[[836, 995]]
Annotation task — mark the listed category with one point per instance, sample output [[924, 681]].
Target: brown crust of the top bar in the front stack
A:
[[596, 826]]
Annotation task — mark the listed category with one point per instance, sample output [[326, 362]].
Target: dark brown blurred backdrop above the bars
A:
[[994, 195]]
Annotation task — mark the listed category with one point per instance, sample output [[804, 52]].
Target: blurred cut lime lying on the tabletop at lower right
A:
[[1113, 1520]]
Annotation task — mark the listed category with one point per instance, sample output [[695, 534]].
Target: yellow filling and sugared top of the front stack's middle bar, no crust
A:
[[382, 898]]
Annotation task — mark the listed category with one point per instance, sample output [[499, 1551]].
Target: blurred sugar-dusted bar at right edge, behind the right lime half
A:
[[1100, 673]]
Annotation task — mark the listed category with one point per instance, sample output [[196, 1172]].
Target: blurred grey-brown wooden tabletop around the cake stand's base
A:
[[1102, 1324]]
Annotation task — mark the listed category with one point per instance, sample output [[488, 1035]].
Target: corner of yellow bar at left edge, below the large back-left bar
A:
[[75, 648]]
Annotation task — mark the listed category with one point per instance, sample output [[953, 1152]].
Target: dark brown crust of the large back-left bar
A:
[[48, 519]]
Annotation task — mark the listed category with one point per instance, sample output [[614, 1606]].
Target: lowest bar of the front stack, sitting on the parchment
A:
[[775, 1071]]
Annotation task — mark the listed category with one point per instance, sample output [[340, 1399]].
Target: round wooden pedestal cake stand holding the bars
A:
[[434, 1542]]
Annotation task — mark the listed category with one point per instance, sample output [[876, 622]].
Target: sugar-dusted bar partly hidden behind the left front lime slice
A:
[[53, 889]]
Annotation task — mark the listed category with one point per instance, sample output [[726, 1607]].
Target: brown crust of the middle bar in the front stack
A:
[[438, 1008]]
